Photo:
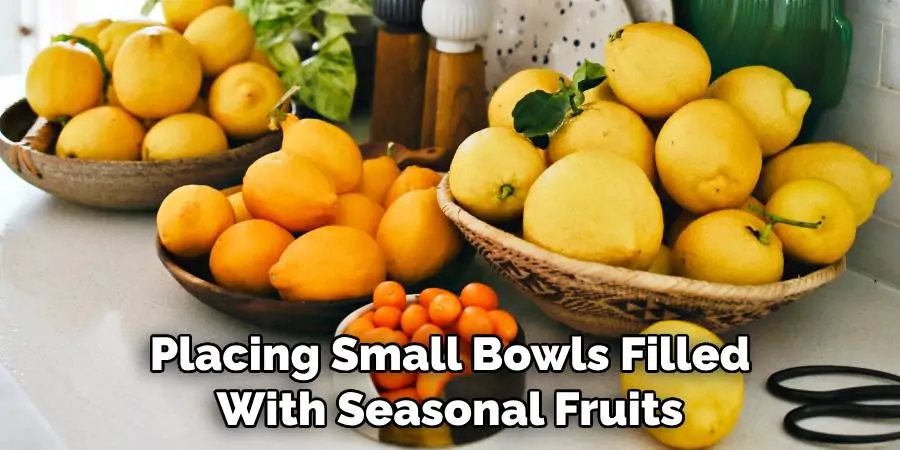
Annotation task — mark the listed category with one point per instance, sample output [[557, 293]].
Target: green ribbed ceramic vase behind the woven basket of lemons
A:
[[807, 40]]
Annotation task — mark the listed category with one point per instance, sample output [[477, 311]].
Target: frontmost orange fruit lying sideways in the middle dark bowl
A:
[[329, 263]]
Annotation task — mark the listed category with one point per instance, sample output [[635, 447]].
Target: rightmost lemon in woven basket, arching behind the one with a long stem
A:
[[847, 168]]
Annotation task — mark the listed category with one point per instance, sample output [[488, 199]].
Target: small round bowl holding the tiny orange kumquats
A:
[[502, 384]]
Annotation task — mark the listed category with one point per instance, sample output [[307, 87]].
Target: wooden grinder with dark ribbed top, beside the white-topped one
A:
[[402, 58]]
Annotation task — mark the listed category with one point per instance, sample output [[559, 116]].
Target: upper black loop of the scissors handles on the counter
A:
[[775, 385]]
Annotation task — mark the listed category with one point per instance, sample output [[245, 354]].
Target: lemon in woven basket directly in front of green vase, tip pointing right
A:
[[768, 100]]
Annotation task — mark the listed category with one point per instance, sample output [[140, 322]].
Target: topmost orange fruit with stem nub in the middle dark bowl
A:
[[331, 148]]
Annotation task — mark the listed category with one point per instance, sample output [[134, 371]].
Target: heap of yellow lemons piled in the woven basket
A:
[[658, 136]]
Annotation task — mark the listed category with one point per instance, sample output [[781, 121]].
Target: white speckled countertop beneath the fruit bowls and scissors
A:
[[81, 291]]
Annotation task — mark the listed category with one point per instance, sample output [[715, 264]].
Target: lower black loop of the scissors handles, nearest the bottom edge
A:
[[844, 410]]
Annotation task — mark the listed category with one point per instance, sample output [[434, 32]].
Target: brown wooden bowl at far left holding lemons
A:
[[114, 185]]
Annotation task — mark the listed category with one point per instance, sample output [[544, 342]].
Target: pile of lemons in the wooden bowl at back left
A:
[[139, 90]]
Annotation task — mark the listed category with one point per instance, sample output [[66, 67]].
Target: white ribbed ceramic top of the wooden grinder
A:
[[458, 25]]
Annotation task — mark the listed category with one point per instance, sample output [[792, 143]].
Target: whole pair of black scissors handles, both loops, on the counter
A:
[[844, 403]]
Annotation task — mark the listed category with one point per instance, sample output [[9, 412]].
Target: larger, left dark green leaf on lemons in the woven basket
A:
[[540, 113]]
